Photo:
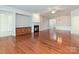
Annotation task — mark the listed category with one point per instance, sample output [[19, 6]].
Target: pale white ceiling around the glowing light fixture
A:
[[45, 9]]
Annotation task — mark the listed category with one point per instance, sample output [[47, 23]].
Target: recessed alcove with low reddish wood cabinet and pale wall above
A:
[[23, 24]]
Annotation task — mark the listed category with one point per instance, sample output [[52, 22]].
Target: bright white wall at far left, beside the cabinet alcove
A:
[[7, 23]]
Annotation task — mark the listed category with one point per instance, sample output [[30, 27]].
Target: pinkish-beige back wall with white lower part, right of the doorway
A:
[[63, 22]]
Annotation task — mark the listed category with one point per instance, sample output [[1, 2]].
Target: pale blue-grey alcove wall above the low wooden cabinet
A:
[[23, 20]]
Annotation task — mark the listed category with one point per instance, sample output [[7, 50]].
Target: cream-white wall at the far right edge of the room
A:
[[75, 21]]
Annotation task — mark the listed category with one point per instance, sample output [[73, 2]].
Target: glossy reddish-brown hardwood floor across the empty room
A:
[[45, 42]]
